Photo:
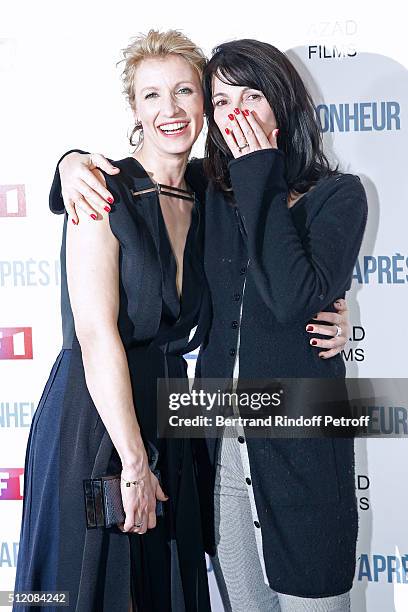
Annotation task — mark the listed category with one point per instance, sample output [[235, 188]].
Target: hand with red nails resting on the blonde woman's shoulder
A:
[[83, 185]]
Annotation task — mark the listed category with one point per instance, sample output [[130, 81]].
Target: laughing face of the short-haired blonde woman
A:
[[169, 103]]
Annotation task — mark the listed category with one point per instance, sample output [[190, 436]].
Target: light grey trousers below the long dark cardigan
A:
[[237, 567]]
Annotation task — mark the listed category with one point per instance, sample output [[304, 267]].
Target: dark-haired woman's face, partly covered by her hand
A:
[[226, 98]]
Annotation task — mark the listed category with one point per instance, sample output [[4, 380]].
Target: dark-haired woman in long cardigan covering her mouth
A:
[[283, 231]]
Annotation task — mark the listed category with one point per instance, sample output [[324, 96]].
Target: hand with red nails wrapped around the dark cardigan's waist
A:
[[338, 320]]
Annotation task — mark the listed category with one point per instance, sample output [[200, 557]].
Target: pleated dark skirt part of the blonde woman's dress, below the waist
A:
[[164, 569]]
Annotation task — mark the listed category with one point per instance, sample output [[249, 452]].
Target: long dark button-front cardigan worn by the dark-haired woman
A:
[[301, 260]]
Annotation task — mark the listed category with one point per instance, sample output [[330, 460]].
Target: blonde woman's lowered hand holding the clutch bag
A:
[[139, 501]]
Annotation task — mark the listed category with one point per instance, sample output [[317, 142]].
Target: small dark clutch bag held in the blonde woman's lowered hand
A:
[[103, 499]]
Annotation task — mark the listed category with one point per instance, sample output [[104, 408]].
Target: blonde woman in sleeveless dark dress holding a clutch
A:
[[132, 286]]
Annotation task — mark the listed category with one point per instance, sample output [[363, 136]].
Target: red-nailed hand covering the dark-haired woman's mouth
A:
[[243, 133]]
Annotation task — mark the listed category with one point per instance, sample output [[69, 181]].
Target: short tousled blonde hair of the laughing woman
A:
[[156, 44]]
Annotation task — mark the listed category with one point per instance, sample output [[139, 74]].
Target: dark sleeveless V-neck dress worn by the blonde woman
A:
[[165, 568]]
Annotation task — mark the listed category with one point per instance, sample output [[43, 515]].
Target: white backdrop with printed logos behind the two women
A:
[[59, 88]]
